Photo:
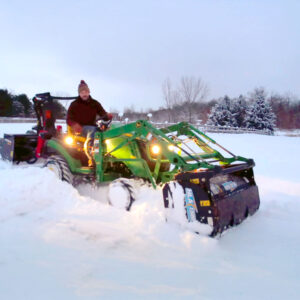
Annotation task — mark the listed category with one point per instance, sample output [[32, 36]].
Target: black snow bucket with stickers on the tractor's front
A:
[[222, 197]]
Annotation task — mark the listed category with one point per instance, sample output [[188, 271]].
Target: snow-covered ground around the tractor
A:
[[60, 243]]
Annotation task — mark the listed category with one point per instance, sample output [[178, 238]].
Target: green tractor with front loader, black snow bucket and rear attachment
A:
[[217, 187]]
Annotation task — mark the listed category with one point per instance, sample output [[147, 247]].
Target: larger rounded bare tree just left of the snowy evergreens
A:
[[192, 90]]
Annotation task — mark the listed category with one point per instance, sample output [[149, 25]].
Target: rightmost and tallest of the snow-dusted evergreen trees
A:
[[260, 115]]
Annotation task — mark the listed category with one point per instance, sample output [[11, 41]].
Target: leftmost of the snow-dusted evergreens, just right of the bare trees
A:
[[222, 114]]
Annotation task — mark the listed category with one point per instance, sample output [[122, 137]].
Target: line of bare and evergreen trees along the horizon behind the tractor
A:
[[187, 101]]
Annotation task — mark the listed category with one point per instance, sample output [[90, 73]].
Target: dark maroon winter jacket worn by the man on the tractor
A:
[[85, 112]]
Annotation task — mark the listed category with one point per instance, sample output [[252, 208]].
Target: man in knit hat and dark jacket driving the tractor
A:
[[83, 114]]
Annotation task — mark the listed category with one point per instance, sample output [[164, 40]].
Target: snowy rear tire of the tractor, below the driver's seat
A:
[[60, 167]]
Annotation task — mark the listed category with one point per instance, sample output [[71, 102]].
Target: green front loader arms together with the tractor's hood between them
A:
[[122, 144]]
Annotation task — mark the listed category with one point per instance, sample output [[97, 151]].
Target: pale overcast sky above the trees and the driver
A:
[[125, 49]]
